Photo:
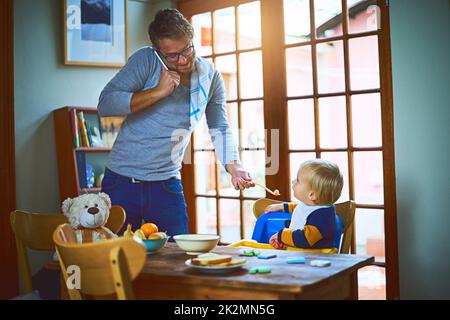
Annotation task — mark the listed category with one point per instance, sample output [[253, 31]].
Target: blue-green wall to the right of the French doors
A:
[[421, 77]]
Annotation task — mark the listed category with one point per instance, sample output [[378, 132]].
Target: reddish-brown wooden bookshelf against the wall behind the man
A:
[[69, 155]]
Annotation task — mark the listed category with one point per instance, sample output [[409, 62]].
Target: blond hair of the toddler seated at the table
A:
[[325, 179]]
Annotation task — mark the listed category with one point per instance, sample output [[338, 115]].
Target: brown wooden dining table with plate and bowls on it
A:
[[165, 276]]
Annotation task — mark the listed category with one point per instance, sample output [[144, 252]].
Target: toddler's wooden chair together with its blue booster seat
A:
[[345, 211]]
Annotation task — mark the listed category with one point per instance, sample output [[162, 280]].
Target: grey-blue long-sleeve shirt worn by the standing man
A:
[[151, 143]]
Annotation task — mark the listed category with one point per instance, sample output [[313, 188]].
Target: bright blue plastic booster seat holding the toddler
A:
[[270, 223]]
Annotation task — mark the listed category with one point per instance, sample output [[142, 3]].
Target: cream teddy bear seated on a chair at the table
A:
[[87, 214]]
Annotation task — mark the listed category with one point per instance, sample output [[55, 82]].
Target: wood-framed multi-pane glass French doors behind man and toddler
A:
[[305, 79]]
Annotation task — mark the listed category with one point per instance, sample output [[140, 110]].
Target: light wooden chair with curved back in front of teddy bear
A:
[[106, 267]]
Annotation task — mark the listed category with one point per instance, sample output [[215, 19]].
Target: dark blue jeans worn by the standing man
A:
[[159, 202]]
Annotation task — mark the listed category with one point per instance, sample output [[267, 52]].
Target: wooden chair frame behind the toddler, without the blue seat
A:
[[345, 211]]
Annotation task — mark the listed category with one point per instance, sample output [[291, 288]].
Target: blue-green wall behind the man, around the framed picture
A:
[[43, 83]]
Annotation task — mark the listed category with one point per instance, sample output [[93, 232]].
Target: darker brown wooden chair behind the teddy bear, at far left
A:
[[35, 231]]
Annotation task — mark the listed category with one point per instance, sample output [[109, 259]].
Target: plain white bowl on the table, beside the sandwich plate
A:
[[197, 243]]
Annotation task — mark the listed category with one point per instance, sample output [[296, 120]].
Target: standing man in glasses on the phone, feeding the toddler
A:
[[163, 91]]
